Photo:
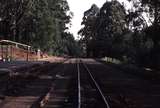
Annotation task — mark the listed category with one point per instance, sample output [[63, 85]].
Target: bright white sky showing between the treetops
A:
[[78, 7]]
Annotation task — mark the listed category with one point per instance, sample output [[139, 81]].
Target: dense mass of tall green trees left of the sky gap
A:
[[40, 23]]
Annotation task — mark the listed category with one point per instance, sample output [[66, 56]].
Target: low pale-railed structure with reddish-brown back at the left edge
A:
[[10, 50]]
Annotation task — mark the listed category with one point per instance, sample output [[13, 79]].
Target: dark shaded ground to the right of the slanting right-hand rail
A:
[[125, 90]]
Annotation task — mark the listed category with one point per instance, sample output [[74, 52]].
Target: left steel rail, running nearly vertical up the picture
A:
[[79, 85]]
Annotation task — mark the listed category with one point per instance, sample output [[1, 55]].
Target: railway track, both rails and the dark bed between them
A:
[[90, 94]]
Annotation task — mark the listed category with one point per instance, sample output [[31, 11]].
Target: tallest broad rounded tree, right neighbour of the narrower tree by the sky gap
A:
[[111, 27]]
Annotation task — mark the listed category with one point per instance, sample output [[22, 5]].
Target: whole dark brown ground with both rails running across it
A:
[[80, 83]]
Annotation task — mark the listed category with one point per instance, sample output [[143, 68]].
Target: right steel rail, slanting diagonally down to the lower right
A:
[[97, 86]]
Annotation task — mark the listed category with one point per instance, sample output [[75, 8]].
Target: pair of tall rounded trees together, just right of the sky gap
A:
[[103, 29]]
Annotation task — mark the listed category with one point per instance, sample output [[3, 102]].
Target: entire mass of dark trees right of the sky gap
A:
[[124, 34]]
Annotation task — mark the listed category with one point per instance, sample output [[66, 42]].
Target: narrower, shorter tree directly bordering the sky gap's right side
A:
[[88, 31]]
